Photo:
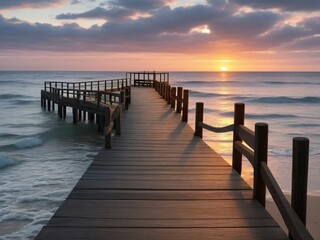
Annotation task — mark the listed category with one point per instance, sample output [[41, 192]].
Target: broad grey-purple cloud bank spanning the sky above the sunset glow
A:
[[165, 29]]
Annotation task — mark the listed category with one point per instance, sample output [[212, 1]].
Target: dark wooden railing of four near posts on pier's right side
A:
[[254, 146]]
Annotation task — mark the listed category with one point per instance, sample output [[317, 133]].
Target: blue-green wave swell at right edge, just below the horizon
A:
[[281, 100]]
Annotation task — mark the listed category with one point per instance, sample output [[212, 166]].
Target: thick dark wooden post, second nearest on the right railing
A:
[[260, 155]]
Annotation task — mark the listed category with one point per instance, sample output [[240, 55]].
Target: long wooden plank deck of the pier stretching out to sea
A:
[[159, 181]]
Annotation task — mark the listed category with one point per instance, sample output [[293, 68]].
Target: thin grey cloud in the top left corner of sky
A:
[[28, 3]]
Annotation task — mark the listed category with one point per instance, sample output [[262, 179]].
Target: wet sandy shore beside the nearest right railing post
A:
[[313, 216]]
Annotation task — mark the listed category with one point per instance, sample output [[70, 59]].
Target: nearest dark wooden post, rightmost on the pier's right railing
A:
[[300, 162]]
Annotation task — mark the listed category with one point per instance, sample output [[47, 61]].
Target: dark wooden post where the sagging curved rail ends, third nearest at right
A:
[[238, 120]]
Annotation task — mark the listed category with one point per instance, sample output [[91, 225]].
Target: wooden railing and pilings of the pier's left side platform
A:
[[103, 101]]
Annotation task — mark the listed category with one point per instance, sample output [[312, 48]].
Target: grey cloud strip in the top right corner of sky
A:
[[286, 5]]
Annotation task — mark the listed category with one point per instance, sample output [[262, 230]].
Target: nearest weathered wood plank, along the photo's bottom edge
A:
[[162, 233]]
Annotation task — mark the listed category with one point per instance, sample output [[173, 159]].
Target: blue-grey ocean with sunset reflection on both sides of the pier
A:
[[42, 157]]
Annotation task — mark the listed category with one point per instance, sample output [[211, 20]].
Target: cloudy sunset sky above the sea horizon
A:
[[166, 35]]
